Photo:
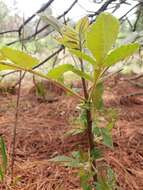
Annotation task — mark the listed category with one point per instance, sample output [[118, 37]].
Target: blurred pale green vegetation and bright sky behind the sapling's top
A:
[[18, 28]]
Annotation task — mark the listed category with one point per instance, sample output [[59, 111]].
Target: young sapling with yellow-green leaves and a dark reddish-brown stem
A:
[[93, 45]]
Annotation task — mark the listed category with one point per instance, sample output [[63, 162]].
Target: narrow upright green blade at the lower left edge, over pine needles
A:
[[4, 155]]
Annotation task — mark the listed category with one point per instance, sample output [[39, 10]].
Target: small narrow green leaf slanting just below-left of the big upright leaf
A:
[[84, 56]]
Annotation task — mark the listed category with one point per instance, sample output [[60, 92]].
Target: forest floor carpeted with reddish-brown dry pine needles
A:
[[41, 136]]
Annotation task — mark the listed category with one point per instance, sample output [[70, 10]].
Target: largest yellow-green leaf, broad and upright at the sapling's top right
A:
[[102, 35]]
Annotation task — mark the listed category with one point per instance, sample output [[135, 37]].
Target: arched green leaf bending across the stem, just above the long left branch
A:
[[60, 70]]
